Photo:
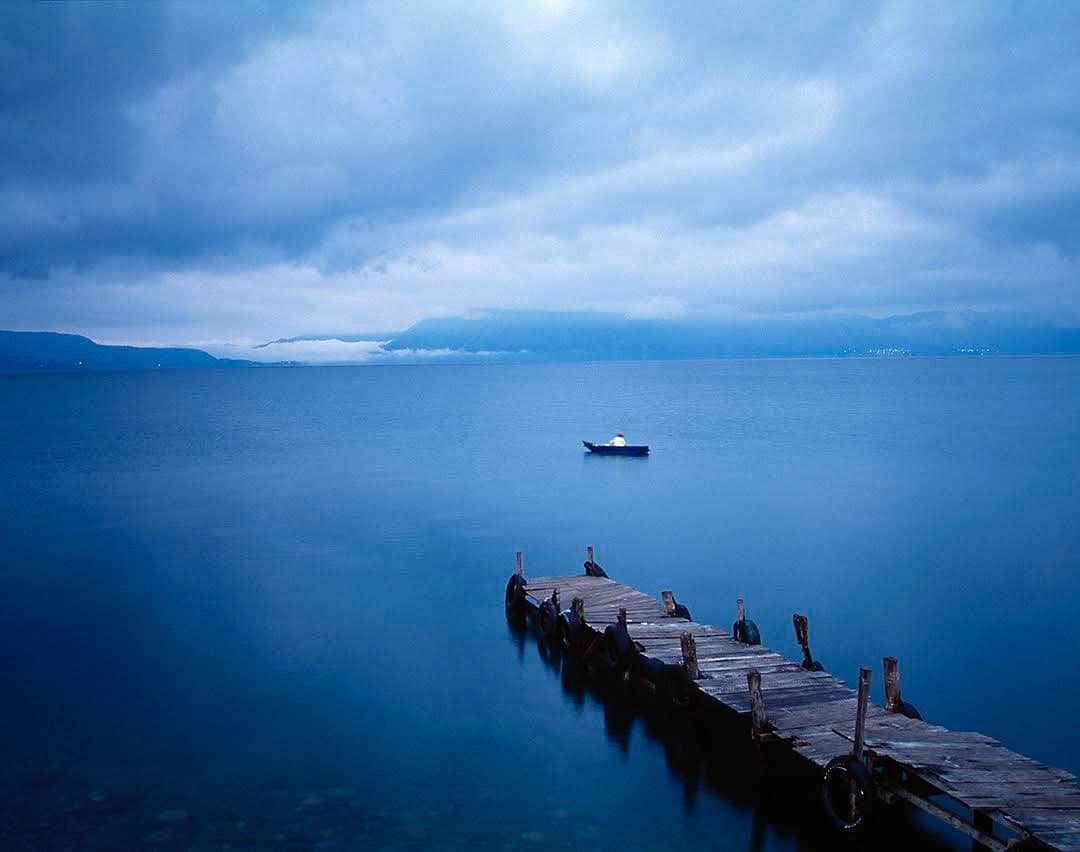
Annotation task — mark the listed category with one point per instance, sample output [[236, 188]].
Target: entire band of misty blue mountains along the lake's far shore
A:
[[543, 336]]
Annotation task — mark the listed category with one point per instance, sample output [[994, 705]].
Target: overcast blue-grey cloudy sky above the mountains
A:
[[193, 174]]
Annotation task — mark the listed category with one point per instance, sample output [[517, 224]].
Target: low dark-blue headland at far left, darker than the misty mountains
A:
[[51, 351]]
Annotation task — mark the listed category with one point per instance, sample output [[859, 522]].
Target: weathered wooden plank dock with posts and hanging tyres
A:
[[1000, 799]]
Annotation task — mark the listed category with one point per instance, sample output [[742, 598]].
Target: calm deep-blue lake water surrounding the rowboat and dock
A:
[[264, 608]]
